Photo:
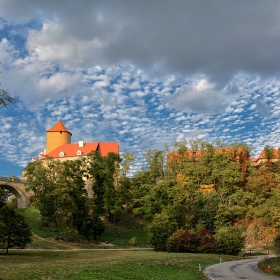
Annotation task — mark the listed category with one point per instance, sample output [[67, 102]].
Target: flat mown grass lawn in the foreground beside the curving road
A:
[[103, 264]]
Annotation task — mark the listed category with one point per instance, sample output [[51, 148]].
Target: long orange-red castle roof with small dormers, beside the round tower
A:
[[70, 150]]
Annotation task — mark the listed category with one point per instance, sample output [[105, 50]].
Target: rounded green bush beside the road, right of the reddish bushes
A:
[[230, 240]]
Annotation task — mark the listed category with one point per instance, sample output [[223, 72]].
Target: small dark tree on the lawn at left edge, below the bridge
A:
[[14, 232]]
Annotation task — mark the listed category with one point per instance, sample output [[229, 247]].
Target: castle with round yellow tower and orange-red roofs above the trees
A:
[[59, 146]]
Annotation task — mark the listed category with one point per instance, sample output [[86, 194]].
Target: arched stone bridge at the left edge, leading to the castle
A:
[[17, 187]]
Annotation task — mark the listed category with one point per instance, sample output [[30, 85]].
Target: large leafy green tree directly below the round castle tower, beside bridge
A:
[[60, 193]]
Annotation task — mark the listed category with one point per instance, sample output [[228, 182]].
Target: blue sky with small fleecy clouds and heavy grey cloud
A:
[[142, 73]]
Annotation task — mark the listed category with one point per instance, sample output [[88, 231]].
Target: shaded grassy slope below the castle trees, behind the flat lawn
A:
[[126, 234]]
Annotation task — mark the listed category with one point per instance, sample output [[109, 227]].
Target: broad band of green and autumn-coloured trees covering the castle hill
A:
[[191, 197]]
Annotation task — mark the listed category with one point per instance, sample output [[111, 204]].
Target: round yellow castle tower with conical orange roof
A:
[[57, 136]]
